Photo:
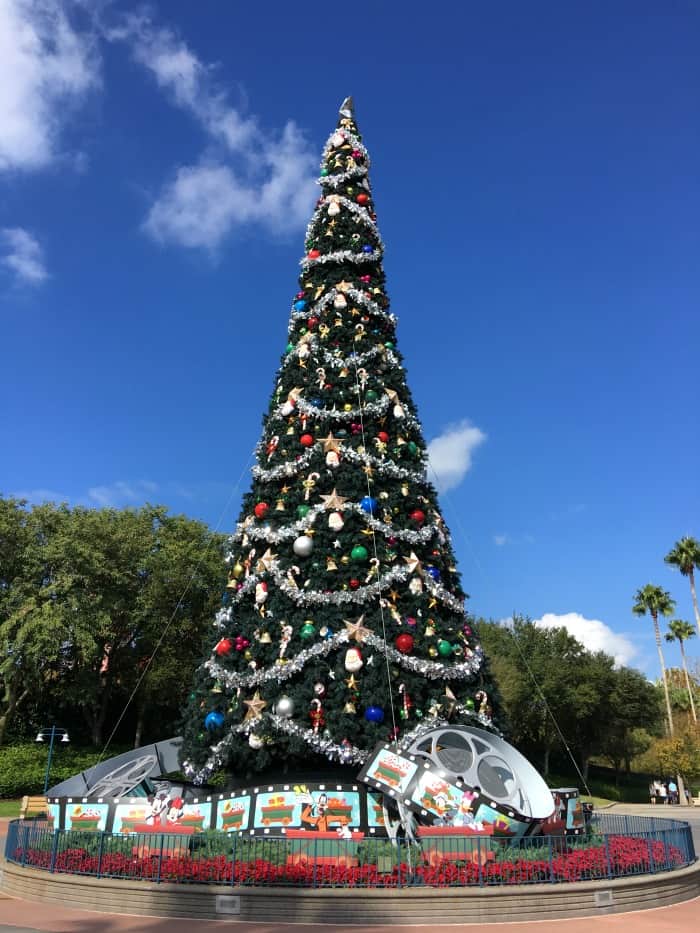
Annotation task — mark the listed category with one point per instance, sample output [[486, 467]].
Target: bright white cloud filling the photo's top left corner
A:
[[46, 68]]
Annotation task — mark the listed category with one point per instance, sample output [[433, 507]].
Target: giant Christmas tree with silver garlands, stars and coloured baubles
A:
[[343, 622]]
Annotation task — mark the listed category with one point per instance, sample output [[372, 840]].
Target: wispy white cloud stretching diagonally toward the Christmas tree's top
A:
[[246, 176]]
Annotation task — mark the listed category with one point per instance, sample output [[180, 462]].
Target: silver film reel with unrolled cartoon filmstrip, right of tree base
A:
[[462, 778]]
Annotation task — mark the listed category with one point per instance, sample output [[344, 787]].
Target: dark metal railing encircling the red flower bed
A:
[[614, 846]]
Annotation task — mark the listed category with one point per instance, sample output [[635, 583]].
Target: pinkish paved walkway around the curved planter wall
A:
[[18, 916]]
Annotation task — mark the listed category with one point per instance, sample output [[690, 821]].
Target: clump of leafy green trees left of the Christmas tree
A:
[[88, 598]]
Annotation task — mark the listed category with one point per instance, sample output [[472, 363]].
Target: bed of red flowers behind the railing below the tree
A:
[[265, 864]]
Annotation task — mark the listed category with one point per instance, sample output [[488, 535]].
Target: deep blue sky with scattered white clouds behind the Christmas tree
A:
[[535, 168]]
